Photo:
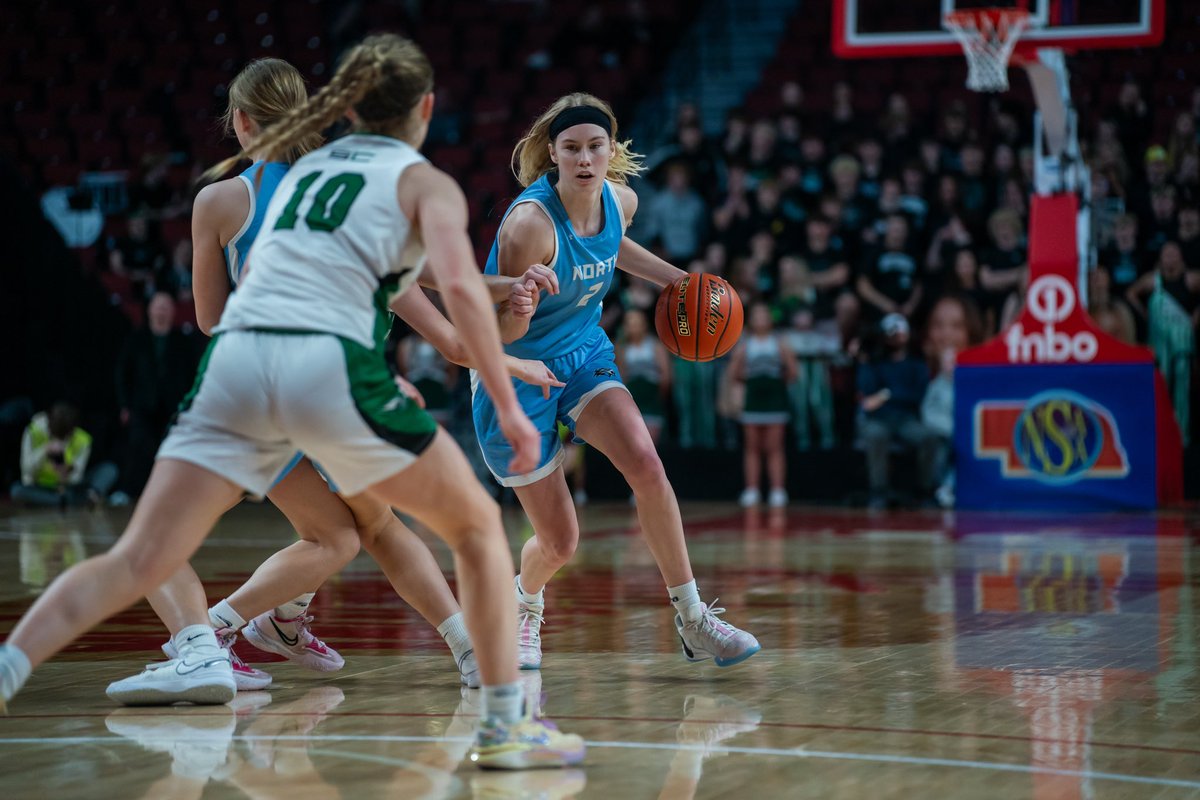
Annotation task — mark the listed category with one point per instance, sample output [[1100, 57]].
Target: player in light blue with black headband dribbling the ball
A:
[[572, 218]]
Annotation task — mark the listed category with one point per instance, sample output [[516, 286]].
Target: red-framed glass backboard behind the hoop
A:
[[889, 29]]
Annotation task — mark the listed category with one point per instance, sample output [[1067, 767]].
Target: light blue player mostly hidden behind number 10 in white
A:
[[226, 221]]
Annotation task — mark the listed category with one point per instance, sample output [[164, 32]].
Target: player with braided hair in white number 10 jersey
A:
[[296, 368]]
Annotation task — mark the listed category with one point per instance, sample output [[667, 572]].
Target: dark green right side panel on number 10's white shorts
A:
[[387, 411]]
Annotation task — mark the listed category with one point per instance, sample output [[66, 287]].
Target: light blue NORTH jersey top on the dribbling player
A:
[[585, 267]]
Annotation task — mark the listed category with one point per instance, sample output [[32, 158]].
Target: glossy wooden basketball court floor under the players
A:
[[920, 655]]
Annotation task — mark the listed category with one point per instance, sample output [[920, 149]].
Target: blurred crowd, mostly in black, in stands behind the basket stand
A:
[[884, 245]]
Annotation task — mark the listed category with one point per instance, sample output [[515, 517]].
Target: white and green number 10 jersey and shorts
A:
[[298, 362]]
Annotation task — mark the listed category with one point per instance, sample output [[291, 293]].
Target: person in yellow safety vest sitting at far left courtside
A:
[[55, 454]]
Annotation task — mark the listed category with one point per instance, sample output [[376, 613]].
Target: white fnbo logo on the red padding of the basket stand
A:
[[1051, 300]]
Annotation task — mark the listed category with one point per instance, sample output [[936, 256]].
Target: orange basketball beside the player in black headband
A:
[[699, 317]]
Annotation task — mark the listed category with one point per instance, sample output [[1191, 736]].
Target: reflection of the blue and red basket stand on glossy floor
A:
[[1071, 625]]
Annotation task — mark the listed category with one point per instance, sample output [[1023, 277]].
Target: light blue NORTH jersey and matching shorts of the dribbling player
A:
[[565, 334]]
